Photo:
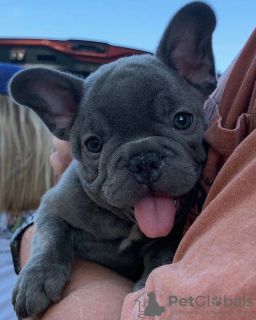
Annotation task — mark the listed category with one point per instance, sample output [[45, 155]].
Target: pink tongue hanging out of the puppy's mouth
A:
[[155, 215]]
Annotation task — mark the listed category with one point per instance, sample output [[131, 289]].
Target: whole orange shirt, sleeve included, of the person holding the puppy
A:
[[216, 260]]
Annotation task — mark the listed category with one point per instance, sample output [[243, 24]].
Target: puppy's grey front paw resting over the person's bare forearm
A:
[[37, 287]]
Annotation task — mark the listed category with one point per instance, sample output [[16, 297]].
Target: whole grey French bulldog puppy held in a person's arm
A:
[[136, 131]]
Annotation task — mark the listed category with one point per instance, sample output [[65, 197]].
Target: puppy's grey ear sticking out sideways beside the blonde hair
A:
[[52, 94]]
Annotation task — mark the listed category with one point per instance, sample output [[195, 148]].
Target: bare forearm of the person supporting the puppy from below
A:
[[93, 292]]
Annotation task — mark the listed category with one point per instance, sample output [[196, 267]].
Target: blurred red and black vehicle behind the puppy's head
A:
[[82, 57]]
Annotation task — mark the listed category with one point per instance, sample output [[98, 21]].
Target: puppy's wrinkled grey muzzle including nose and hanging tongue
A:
[[151, 180]]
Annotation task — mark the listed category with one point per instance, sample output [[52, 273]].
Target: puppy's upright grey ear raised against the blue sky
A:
[[186, 45]]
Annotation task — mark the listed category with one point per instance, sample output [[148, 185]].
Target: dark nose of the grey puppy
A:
[[146, 168]]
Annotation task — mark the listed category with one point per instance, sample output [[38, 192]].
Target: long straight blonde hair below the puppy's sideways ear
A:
[[25, 149]]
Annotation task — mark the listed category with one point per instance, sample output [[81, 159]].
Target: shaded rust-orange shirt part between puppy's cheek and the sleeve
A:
[[233, 104]]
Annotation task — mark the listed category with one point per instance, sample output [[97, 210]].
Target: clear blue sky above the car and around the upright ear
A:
[[131, 23]]
